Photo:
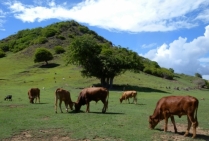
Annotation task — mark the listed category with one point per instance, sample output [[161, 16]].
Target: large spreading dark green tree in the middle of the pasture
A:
[[101, 60]]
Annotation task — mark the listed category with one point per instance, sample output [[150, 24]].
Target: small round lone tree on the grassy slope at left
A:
[[43, 55]]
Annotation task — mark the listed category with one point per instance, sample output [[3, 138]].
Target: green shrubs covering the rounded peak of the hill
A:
[[52, 35]]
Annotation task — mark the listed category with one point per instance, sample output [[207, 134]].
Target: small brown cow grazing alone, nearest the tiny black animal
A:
[[34, 93]]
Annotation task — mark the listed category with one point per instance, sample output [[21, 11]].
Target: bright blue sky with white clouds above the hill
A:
[[174, 33]]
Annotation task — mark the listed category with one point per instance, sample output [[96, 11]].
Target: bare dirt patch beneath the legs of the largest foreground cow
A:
[[171, 135]]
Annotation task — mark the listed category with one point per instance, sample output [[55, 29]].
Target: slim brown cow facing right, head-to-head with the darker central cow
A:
[[63, 95]]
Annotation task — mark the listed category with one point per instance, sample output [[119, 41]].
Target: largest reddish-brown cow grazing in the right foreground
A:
[[176, 105]]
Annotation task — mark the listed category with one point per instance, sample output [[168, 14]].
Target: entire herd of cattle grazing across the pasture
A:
[[165, 108]]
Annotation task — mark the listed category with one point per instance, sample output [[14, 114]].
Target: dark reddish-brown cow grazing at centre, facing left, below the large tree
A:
[[92, 94]]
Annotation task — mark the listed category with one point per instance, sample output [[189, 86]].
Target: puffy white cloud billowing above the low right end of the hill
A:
[[183, 56]]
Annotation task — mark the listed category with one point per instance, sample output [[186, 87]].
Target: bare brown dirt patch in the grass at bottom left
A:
[[50, 135]]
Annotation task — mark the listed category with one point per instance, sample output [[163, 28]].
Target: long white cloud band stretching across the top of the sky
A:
[[122, 15]]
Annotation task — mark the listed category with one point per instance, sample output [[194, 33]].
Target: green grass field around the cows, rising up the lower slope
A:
[[24, 121]]
